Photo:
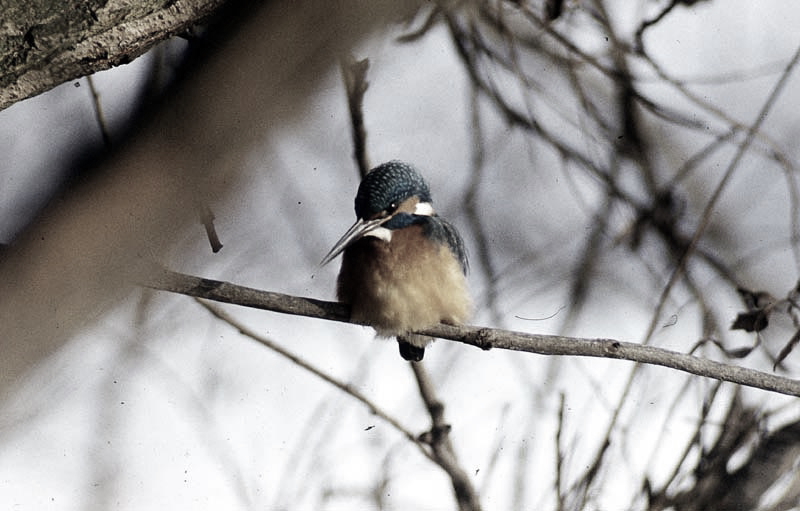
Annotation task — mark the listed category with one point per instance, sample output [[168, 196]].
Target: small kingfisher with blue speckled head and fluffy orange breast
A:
[[403, 266]]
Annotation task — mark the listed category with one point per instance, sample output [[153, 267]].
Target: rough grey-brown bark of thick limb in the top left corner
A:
[[46, 43]]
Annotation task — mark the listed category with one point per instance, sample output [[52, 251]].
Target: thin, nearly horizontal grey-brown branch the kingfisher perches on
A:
[[484, 338]]
